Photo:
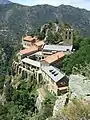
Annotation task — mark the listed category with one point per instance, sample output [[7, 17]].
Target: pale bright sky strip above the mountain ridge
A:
[[76, 3]]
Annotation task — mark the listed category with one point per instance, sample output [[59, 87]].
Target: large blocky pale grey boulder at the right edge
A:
[[79, 86]]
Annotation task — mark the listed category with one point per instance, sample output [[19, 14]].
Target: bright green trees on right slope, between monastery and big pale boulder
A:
[[80, 58]]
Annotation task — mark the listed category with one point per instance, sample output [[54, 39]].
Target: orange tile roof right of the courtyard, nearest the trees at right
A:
[[54, 57]]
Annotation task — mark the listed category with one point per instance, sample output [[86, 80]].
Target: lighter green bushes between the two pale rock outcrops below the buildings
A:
[[47, 107]]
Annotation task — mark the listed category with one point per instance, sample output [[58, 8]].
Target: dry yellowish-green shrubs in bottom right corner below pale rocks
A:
[[75, 110]]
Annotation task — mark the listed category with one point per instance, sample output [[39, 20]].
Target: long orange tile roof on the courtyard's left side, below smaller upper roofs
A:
[[30, 50]]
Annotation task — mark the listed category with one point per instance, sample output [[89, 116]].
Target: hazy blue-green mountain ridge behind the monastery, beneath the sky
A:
[[19, 19]]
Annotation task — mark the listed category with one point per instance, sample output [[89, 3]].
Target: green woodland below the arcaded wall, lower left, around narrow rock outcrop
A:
[[20, 103]]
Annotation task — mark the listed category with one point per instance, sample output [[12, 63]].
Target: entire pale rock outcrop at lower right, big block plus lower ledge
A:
[[79, 87]]
